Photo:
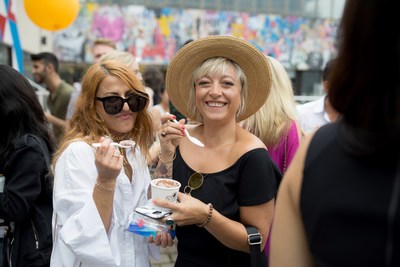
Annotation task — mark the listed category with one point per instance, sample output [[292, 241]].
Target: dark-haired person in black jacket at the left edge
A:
[[25, 149]]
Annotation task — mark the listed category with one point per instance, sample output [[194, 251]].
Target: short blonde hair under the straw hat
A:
[[216, 66]]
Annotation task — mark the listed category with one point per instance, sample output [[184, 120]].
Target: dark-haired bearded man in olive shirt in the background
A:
[[45, 71]]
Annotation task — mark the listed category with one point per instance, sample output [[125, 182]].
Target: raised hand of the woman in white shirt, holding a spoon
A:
[[108, 161]]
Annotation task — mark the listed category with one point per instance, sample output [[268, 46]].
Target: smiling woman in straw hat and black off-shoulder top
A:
[[231, 182]]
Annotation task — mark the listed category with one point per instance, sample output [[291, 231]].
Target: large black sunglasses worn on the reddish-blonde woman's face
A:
[[114, 104]]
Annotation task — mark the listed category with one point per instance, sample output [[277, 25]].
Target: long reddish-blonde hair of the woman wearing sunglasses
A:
[[87, 125]]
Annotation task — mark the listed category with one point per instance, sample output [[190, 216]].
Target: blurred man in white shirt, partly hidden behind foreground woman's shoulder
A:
[[316, 113]]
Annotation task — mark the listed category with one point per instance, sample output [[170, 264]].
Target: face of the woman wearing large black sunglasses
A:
[[123, 121]]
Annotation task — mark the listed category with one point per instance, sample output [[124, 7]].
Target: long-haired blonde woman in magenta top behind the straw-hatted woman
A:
[[275, 123]]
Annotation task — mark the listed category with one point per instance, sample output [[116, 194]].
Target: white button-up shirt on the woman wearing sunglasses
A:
[[79, 235]]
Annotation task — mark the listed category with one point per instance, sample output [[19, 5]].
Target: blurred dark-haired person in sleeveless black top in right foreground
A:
[[338, 204]]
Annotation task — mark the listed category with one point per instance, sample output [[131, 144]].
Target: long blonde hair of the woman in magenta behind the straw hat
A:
[[272, 121]]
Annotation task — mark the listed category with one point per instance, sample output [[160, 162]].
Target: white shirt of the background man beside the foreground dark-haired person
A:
[[313, 115]]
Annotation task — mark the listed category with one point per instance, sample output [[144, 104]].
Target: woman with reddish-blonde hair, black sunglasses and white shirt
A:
[[96, 189]]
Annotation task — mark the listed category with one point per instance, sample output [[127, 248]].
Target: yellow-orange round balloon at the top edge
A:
[[52, 15]]
